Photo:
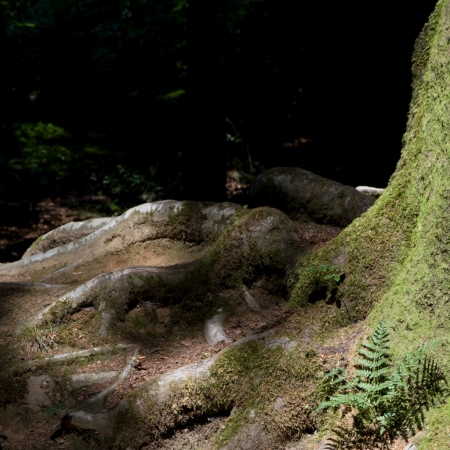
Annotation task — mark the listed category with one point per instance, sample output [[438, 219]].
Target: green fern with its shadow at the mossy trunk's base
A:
[[383, 400]]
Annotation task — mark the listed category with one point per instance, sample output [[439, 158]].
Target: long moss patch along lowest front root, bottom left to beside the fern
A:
[[250, 376]]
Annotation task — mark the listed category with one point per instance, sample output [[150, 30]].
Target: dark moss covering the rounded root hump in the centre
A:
[[242, 255]]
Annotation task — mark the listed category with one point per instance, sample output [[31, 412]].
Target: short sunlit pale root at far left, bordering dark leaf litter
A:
[[64, 234]]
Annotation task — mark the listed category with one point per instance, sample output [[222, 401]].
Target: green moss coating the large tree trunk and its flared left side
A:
[[391, 245]]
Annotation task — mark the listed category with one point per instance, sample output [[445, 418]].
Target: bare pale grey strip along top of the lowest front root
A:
[[158, 392]]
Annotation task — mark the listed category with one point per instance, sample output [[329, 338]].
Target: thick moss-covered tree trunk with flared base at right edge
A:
[[396, 256]]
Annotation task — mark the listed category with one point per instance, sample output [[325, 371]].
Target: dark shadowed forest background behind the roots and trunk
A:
[[139, 100]]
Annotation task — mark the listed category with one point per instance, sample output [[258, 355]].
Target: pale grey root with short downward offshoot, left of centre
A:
[[113, 287]]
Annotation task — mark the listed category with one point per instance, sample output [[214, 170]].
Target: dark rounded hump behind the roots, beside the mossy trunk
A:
[[303, 195]]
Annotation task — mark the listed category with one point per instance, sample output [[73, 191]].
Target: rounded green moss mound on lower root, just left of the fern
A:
[[253, 377]]
